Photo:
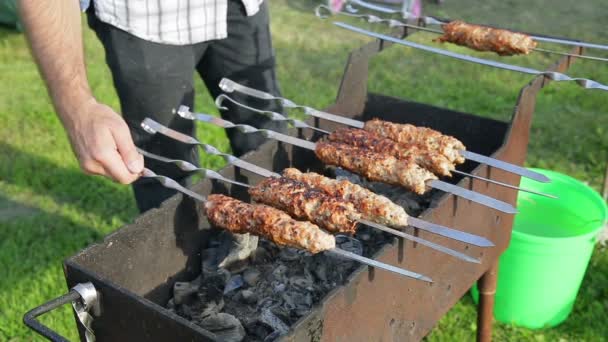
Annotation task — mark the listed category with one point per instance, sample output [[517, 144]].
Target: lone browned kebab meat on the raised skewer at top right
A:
[[483, 38]]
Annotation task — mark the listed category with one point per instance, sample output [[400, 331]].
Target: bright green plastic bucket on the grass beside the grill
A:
[[541, 271]]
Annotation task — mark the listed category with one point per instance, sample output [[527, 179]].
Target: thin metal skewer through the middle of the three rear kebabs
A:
[[184, 112]]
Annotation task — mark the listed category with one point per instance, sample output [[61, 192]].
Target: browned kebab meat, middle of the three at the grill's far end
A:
[[430, 160]]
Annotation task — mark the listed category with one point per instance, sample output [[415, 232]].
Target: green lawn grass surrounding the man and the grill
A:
[[69, 210]]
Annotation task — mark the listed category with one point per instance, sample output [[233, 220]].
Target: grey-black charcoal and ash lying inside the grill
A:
[[259, 300]]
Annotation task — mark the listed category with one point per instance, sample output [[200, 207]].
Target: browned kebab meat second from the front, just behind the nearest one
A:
[[305, 202]]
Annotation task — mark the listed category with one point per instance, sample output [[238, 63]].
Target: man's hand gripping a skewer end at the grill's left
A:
[[102, 143]]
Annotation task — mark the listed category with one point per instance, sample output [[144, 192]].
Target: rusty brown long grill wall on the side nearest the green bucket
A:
[[380, 306]]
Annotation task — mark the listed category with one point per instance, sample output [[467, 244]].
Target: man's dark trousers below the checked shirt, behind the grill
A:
[[153, 79]]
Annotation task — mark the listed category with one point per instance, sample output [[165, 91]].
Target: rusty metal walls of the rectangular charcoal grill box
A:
[[134, 268]]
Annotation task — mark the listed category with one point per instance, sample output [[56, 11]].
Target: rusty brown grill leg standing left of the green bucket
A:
[[485, 310]]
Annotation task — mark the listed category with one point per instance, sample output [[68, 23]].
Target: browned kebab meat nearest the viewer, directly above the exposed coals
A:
[[239, 217]]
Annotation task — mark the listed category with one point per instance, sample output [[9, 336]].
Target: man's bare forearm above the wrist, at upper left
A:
[[54, 32]]
